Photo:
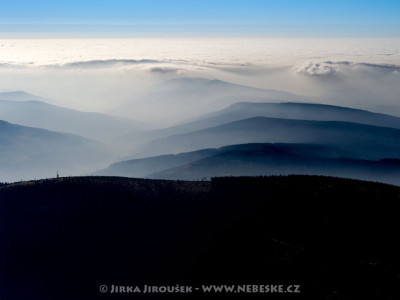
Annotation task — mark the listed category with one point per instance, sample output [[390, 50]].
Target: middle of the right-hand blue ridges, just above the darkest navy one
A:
[[354, 140]]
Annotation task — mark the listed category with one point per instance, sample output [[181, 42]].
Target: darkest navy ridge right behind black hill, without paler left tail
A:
[[283, 159]]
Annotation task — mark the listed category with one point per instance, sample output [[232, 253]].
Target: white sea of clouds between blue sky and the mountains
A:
[[100, 74]]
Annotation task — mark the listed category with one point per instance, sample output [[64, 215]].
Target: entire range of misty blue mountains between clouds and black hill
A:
[[246, 138]]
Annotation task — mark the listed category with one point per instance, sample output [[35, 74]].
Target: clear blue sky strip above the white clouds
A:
[[158, 18]]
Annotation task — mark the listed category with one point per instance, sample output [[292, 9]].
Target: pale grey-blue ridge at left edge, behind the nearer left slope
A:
[[43, 115]]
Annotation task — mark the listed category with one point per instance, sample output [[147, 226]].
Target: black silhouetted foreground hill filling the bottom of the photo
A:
[[336, 238]]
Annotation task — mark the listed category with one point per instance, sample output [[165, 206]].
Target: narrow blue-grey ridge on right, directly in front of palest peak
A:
[[245, 110]]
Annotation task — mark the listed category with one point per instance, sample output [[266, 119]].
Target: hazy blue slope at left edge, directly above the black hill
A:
[[28, 152]]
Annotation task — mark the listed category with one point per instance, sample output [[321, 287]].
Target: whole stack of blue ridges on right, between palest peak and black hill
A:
[[300, 138]]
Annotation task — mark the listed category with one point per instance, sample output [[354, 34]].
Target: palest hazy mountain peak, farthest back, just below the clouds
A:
[[183, 99]]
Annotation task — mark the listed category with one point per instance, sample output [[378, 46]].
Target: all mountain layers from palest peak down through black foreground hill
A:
[[62, 238]]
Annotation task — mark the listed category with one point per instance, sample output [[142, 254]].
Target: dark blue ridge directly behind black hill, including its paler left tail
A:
[[258, 160]]
